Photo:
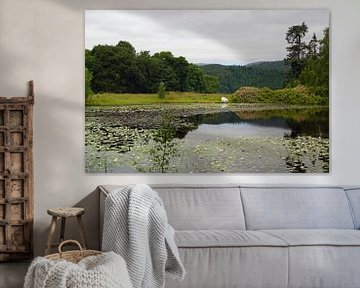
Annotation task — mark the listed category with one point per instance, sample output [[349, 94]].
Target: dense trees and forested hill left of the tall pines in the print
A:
[[120, 69]]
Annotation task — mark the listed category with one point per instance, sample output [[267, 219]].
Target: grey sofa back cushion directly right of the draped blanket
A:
[[202, 207]]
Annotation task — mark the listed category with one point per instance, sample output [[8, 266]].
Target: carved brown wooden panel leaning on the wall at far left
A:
[[16, 177]]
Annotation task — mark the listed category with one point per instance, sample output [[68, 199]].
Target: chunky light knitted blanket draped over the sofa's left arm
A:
[[136, 227]]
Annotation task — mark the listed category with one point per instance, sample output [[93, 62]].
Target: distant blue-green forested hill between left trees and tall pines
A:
[[258, 74]]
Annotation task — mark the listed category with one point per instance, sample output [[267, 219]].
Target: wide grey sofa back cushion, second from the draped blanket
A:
[[296, 208]]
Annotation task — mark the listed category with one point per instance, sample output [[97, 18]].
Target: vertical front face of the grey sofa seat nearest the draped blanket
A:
[[233, 267]]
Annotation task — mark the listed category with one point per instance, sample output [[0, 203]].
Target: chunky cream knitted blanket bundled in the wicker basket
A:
[[102, 271]]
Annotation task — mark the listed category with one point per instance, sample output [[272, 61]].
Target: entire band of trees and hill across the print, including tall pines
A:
[[121, 69]]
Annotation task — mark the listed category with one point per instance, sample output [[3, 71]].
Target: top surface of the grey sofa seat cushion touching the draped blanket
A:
[[225, 238]]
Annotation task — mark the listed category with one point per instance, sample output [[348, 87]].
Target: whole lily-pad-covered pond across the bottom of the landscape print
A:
[[206, 138]]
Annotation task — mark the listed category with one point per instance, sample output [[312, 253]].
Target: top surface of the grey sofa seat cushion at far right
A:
[[315, 237]]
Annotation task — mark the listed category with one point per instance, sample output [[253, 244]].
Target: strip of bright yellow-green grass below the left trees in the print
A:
[[109, 99]]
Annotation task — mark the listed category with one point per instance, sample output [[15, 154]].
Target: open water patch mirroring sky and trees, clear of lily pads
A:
[[280, 122]]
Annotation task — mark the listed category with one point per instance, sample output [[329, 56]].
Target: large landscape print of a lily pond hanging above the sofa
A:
[[207, 91]]
